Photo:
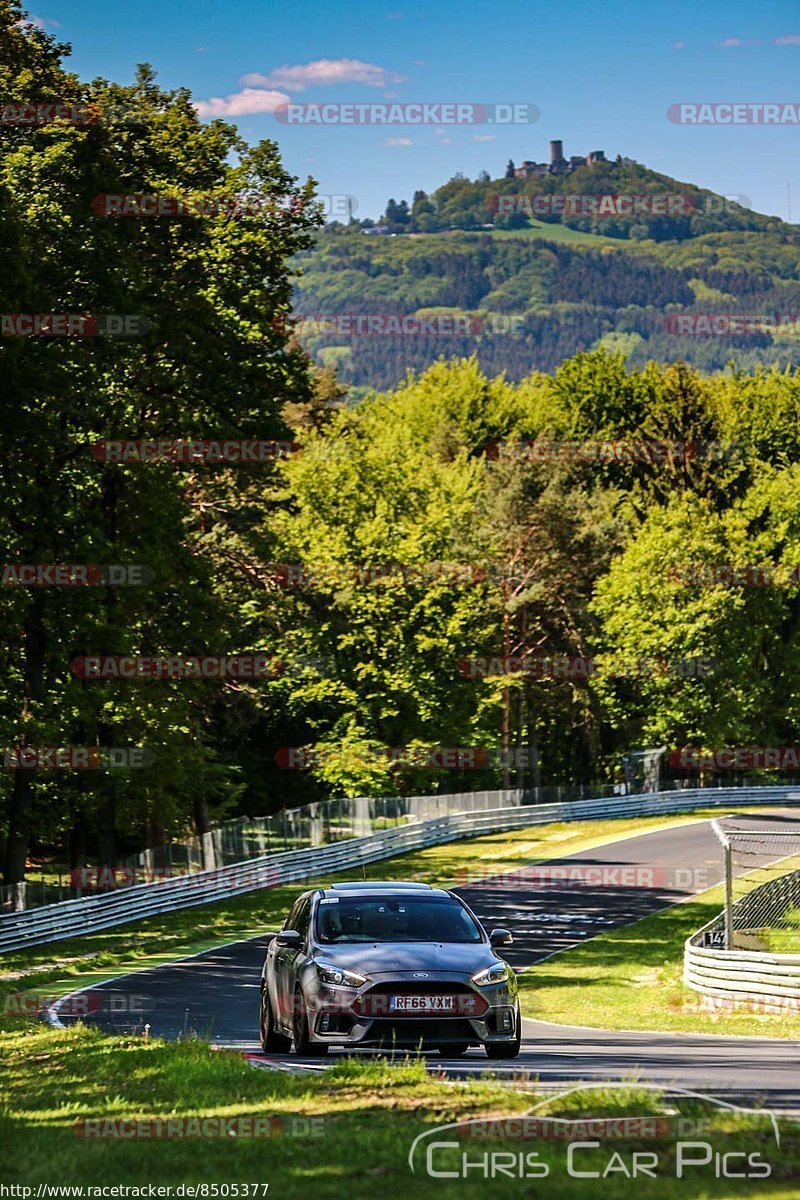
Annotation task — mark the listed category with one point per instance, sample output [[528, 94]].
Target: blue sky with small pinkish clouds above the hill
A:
[[603, 77]]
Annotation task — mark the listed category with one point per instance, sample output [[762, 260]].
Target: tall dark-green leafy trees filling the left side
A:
[[213, 363]]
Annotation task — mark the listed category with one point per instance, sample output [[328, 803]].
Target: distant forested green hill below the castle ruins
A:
[[538, 291]]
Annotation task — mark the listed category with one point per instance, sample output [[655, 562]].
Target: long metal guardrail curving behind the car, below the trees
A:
[[92, 915]]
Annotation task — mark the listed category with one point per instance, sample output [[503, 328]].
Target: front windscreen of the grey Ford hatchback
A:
[[394, 920]]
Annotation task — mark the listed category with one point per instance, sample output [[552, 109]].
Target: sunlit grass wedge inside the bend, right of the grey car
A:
[[631, 979]]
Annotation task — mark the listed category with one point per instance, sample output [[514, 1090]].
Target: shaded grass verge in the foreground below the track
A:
[[346, 1135]]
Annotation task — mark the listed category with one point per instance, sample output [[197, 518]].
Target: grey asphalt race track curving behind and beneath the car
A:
[[216, 994]]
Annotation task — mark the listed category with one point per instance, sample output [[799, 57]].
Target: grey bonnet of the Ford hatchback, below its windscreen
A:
[[382, 958]]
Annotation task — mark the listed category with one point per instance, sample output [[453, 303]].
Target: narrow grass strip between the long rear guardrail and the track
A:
[[77, 963]]
